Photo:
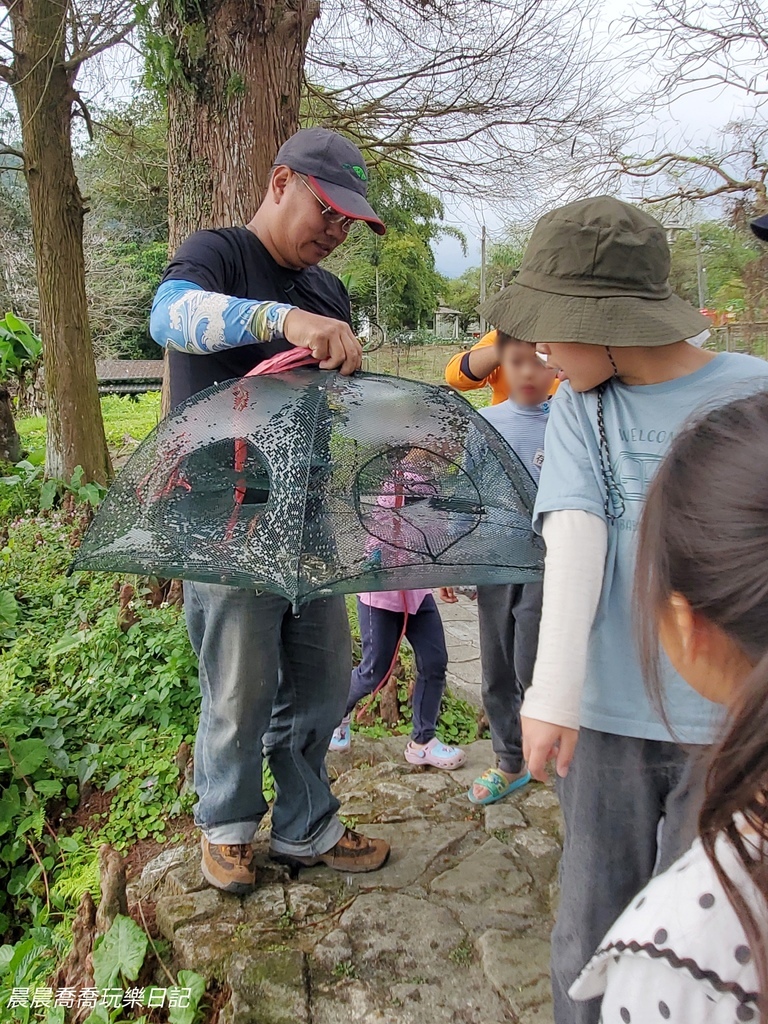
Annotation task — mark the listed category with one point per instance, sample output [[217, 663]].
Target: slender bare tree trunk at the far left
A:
[[45, 92]]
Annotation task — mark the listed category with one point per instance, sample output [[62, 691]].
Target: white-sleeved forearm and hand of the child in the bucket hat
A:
[[577, 543]]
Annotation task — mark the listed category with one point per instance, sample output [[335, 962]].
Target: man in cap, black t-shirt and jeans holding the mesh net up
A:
[[271, 682]]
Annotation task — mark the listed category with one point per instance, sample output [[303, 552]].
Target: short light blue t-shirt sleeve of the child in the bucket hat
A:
[[571, 475]]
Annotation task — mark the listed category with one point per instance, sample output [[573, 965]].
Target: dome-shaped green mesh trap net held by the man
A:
[[310, 484]]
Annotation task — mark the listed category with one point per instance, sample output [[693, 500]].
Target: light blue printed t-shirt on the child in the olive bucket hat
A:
[[641, 423]]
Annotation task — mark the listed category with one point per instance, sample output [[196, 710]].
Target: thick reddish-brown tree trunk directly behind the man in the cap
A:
[[234, 102]]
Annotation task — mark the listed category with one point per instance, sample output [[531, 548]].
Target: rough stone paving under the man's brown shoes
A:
[[453, 930]]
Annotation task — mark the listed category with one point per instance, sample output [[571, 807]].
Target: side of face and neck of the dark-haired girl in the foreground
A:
[[708, 660]]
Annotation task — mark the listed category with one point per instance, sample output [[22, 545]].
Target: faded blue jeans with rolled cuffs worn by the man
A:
[[274, 685]]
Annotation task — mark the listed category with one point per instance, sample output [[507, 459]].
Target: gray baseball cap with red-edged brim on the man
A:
[[336, 170]]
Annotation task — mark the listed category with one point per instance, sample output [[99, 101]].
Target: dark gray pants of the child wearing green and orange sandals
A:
[[509, 617]]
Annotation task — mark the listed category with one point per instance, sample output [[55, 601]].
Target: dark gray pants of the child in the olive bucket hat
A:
[[615, 798]]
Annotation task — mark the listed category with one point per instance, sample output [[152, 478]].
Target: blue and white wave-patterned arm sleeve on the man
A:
[[191, 320]]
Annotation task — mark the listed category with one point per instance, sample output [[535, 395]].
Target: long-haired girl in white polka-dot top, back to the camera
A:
[[693, 947]]
